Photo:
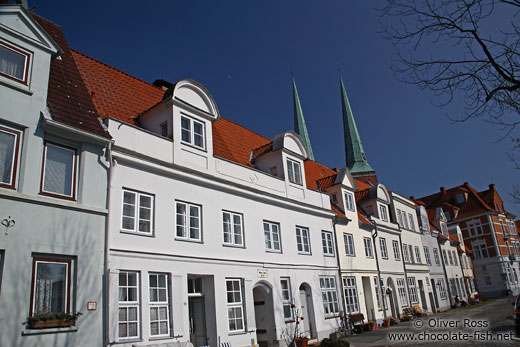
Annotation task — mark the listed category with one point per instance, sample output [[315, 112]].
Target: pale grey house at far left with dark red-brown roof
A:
[[53, 188]]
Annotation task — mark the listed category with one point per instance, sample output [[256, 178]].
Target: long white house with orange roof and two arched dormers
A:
[[214, 231]]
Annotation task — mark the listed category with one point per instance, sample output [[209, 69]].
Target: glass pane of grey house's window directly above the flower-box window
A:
[[59, 164]]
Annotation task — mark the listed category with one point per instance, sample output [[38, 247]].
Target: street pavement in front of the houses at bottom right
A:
[[491, 324]]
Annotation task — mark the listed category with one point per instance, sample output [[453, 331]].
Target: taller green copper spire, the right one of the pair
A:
[[356, 159]]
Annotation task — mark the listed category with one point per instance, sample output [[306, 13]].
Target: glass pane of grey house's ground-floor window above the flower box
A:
[[50, 287]]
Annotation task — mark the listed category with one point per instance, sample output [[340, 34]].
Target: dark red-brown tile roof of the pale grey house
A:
[[67, 98]]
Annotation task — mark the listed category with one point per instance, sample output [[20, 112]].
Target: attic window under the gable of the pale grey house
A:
[[14, 63]]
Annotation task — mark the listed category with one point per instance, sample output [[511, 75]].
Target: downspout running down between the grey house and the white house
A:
[[106, 269]]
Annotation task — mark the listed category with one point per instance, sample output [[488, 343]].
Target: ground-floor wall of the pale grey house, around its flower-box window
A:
[[73, 234]]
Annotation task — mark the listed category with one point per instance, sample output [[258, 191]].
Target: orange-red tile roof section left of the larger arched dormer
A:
[[115, 93]]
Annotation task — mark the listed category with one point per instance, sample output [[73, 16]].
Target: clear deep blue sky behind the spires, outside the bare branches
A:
[[244, 53]]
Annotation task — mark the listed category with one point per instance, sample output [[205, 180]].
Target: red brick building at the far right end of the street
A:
[[488, 230]]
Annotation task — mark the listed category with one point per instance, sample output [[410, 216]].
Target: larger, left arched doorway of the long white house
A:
[[264, 314]]
